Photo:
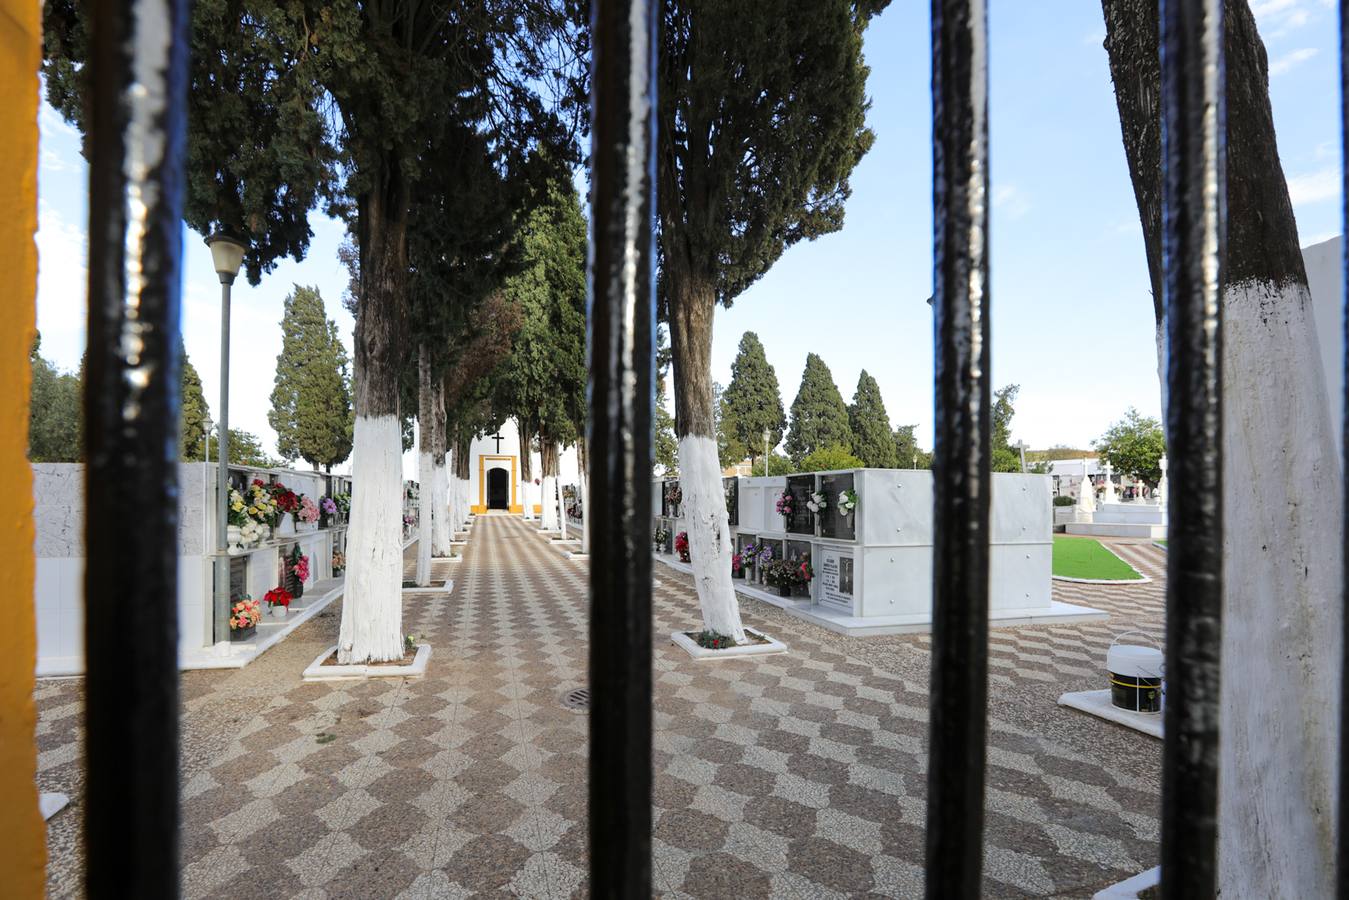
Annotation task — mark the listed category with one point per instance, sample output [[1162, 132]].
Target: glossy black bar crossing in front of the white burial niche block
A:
[[961, 455]]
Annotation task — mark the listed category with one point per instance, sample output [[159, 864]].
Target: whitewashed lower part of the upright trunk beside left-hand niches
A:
[[373, 604]]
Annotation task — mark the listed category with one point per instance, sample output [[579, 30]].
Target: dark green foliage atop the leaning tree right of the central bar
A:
[[762, 123]]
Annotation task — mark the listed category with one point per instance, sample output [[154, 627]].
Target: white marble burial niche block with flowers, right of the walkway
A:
[[865, 540]]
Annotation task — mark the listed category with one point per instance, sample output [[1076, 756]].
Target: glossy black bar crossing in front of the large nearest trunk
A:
[[1195, 215]]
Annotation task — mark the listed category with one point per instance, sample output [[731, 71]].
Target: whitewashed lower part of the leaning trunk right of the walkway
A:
[[709, 535]]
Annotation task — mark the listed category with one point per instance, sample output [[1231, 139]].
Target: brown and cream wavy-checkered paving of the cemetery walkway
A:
[[790, 777]]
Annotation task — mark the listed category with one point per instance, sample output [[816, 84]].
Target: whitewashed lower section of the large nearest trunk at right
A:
[[1282, 608]]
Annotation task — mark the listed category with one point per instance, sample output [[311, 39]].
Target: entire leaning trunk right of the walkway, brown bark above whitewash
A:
[[693, 307]]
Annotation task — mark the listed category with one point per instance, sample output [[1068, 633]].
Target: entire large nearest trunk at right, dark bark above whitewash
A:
[[1282, 557]]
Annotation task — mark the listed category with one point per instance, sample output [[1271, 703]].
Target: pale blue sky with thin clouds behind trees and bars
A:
[[1072, 306]]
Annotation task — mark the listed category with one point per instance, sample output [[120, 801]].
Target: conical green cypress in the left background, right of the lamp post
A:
[[311, 401]]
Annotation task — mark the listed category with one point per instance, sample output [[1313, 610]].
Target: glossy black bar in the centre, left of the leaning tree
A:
[[621, 323]]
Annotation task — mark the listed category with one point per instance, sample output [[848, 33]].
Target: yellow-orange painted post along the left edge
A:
[[24, 848]]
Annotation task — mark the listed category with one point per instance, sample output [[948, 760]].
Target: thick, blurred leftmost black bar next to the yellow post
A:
[[138, 146]]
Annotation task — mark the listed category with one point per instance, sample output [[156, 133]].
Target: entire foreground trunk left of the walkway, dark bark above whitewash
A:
[[372, 612]]
